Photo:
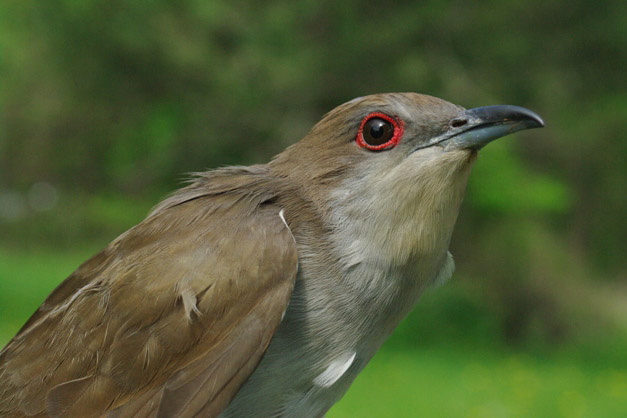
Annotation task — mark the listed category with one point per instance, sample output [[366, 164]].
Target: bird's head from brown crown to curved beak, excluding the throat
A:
[[397, 137]]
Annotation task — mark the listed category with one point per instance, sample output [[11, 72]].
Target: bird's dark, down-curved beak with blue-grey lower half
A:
[[474, 128]]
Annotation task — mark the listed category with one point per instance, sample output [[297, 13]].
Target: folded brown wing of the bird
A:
[[169, 320]]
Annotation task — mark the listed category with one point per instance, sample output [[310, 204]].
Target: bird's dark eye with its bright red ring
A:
[[379, 131]]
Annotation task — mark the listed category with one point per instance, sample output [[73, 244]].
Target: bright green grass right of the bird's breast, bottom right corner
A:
[[461, 382]]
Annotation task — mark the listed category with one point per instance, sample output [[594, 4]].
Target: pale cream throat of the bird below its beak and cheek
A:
[[396, 219]]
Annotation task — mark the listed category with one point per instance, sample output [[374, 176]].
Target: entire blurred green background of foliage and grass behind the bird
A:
[[104, 106]]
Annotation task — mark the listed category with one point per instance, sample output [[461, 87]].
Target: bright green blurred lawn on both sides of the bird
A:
[[436, 380]]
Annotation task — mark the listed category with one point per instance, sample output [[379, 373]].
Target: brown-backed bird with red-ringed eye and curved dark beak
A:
[[262, 290]]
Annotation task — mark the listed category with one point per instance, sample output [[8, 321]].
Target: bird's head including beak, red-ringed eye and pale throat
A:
[[387, 158]]
